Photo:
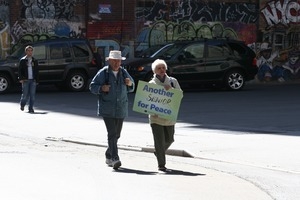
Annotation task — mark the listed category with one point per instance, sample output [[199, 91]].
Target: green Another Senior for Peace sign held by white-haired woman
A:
[[155, 99]]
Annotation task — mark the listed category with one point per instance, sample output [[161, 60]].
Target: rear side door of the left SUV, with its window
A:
[[59, 59]]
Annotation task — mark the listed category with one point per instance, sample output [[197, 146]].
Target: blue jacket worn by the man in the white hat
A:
[[115, 102]]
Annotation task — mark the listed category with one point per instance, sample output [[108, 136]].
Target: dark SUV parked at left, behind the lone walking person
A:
[[65, 62]]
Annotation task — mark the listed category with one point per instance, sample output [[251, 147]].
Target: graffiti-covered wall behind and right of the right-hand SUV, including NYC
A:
[[276, 24]]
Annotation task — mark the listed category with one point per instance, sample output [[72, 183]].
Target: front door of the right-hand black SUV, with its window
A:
[[189, 65]]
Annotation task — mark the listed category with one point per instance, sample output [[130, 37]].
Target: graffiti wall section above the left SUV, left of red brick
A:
[[40, 20]]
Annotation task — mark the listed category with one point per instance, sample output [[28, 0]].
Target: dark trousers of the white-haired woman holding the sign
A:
[[163, 138]]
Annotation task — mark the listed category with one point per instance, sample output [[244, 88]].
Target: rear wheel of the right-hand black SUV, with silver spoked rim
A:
[[234, 80]]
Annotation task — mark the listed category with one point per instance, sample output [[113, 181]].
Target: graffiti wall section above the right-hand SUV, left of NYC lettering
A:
[[165, 21]]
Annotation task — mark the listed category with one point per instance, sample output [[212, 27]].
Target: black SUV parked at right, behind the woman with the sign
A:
[[218, 62]]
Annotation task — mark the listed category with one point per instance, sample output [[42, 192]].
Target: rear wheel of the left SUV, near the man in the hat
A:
[[76, 81]]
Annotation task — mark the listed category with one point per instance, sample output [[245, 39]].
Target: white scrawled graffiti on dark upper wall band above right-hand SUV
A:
[[198, 11]]
